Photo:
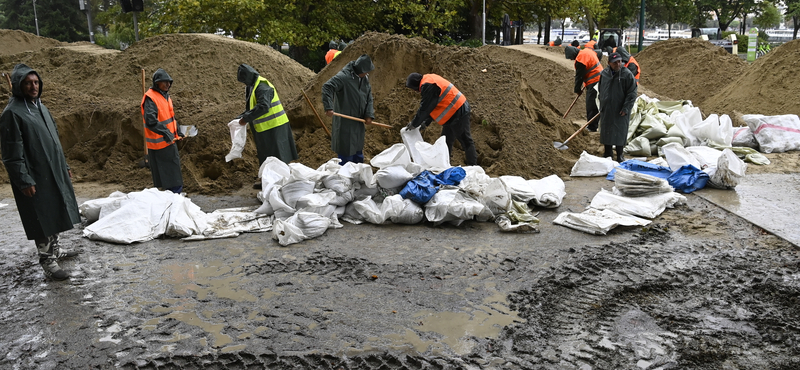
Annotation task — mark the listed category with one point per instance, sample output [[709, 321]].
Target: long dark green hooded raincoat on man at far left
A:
[[33, 156]]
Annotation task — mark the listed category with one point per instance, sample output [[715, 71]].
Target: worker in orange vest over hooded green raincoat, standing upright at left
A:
[[161, 131]]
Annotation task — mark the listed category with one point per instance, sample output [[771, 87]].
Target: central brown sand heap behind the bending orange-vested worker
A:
[[515, 99]]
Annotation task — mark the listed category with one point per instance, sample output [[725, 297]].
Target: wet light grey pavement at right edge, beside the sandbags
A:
[[765, 200]]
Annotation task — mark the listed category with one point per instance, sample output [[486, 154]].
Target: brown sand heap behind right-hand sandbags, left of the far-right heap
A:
[[688, 69]]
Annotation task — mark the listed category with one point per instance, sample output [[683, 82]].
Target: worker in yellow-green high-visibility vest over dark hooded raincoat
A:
[[264, 112]]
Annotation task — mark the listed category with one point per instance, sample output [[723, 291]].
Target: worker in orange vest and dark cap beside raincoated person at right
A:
[[587, 73]]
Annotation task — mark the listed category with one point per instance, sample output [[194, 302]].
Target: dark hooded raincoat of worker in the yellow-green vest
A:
[[276, 142]]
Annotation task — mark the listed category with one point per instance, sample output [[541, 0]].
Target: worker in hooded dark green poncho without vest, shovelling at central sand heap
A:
[[350, 93]]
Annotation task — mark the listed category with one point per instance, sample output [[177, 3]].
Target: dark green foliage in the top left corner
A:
[[57, 19]]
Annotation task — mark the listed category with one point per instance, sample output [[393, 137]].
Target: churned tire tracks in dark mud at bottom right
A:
[[657, 303]]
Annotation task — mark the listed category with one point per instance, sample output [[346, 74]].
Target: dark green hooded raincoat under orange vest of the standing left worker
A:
[[165, 164]]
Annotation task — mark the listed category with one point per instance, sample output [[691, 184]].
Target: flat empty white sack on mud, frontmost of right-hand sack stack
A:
[[597, 222]]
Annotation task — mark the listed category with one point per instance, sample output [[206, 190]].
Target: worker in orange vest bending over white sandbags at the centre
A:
[[444, 104]]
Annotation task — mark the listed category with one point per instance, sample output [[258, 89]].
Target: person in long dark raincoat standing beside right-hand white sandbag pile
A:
[[617, 95]]
